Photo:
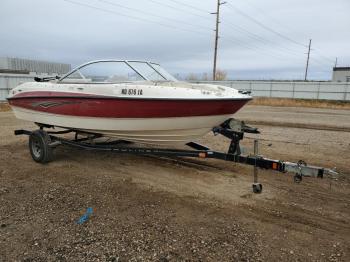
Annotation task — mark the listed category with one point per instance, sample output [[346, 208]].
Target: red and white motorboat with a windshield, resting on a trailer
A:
[[134, 100]]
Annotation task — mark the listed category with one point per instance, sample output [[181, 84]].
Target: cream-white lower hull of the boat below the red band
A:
[[142, 130]]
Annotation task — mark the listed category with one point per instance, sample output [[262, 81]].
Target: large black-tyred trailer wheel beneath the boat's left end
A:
[[39, 147]]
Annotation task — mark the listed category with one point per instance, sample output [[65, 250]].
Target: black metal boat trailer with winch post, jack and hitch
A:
[[42, 143]]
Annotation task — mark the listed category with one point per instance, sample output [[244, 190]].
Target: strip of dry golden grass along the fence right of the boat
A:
[[265, 101]]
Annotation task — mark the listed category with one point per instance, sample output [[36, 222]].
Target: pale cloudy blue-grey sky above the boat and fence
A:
[[259, 39]]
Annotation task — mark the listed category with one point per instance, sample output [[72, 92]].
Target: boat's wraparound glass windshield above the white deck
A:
[[117, 71]]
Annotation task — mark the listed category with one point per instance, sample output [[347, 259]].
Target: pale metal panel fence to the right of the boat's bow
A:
[[302, 90]]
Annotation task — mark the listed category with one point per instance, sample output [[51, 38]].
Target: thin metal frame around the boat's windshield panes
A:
[[120, 61]]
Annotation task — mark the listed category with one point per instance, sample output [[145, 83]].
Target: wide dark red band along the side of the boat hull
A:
[[127, 108]]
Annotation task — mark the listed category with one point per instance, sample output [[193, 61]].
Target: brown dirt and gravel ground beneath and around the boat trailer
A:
[[158, 209]]
